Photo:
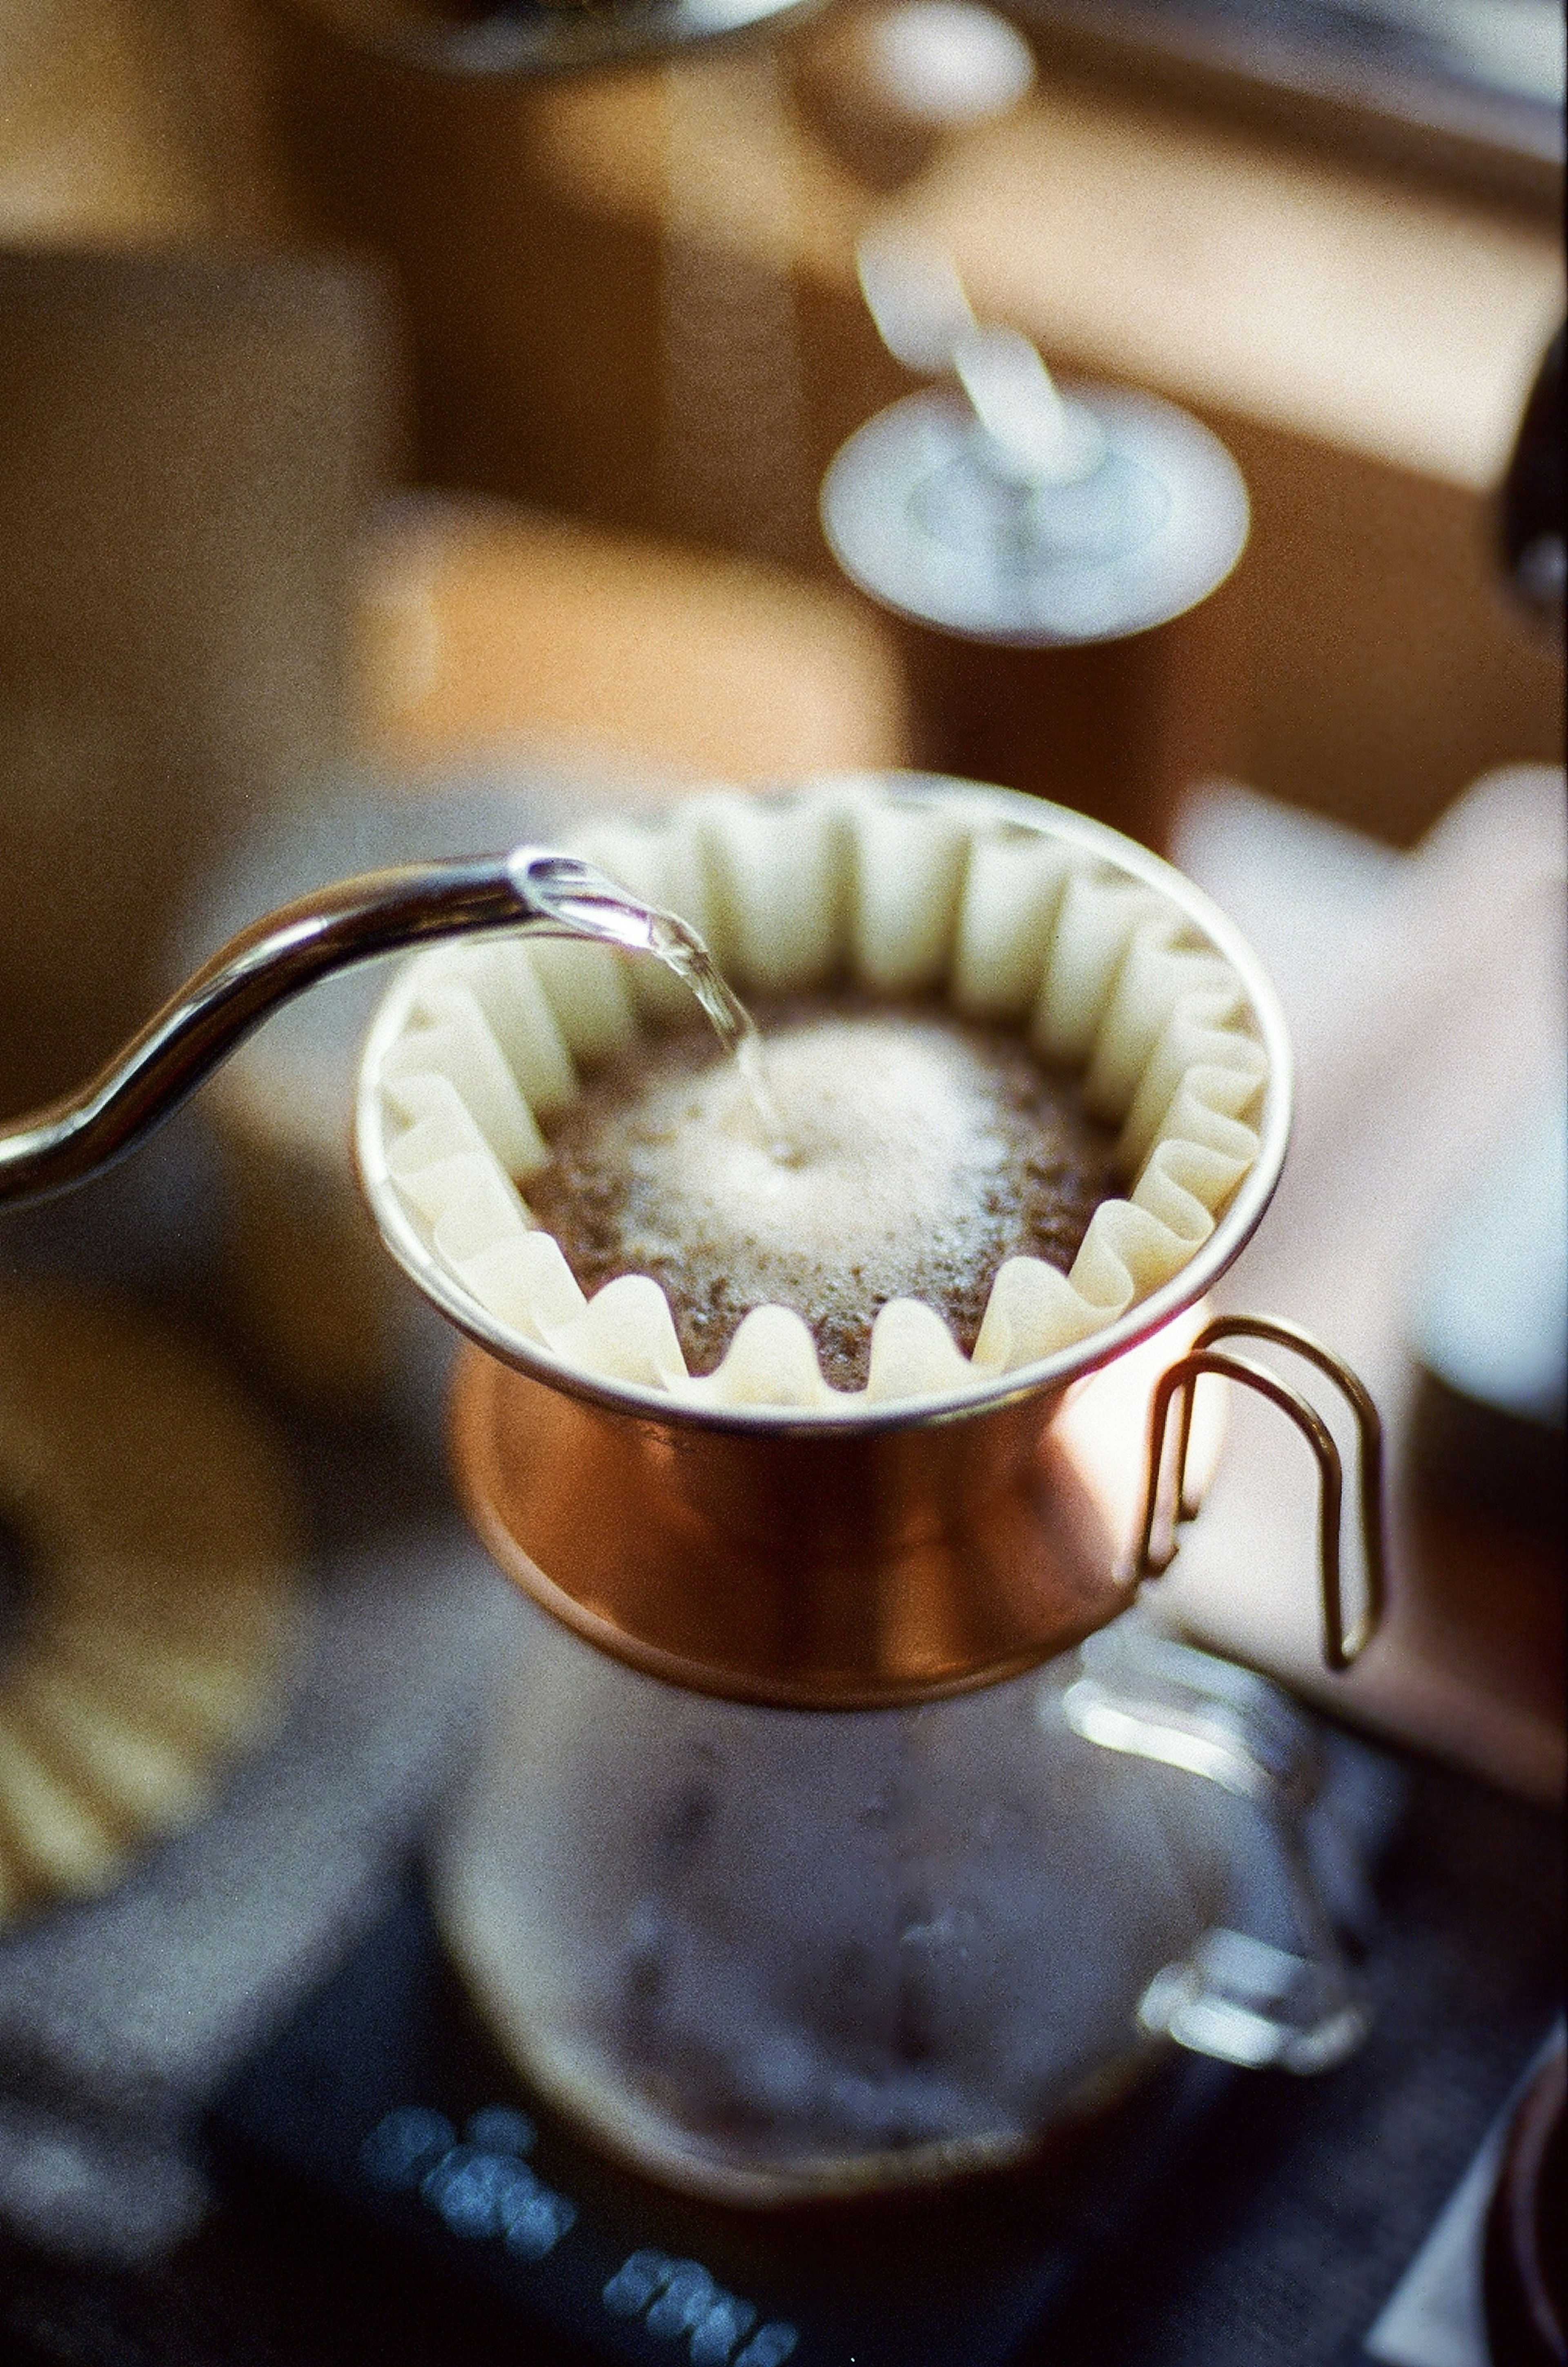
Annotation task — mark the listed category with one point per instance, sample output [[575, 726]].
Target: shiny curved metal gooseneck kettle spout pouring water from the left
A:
[[533, 891]]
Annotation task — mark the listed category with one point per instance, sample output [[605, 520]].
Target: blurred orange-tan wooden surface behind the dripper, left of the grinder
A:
[[486, 626]]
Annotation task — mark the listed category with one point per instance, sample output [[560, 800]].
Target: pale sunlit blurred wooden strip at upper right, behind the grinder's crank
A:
[[1330, 302]]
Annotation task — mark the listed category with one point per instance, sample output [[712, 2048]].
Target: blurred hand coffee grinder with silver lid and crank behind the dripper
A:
[[1039, 550]]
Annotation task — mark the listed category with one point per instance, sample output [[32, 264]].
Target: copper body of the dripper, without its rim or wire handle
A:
[[834, 1571]]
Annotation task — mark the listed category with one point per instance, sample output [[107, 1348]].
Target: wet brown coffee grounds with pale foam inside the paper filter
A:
[[921, 1154]]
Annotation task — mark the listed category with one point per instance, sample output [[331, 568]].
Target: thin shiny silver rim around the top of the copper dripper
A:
[[1049, 1374]]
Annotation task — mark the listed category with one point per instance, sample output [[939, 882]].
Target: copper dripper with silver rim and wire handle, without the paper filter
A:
[[874, 1556]]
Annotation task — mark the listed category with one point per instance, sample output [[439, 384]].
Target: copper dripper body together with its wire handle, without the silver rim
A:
[[860, 1571]]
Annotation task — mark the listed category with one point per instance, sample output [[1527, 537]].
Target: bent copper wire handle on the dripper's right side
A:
[[1340, 1646]]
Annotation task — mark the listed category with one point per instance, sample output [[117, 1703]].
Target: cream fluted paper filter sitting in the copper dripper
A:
[[902, 896]]
